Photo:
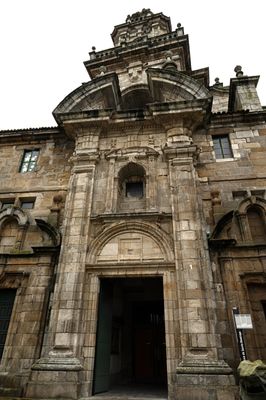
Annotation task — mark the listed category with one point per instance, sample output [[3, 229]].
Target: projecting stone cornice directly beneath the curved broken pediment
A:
[[192, 113]]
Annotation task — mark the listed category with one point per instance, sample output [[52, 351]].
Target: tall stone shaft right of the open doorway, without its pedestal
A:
[[195, 299]]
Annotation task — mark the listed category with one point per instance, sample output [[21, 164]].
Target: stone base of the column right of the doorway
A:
[[205, 380]]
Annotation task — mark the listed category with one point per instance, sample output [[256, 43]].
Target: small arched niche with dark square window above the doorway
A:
[[131, 186]]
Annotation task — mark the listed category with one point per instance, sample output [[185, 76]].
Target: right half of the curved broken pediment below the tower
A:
[[167, 86]]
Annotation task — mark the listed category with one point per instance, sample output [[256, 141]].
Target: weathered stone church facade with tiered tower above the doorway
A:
[[129, 232]]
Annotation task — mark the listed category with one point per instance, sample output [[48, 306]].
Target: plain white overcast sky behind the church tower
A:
[[44, 44]]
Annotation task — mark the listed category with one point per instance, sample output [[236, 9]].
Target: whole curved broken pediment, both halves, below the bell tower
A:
[[104, 93]]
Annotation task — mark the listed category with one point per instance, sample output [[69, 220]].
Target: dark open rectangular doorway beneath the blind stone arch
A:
[[130, 350]]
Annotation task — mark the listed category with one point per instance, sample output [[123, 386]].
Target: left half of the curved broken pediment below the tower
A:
[[101, 93]]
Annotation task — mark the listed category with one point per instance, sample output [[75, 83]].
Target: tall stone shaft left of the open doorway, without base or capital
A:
[[68, 289]]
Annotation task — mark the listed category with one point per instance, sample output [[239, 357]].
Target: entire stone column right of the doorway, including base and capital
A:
[[200, 373]]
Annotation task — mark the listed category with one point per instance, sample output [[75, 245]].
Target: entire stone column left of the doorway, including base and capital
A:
[[65, 330]]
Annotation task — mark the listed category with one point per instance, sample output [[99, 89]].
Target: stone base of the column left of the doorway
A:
[[57, 375]]
